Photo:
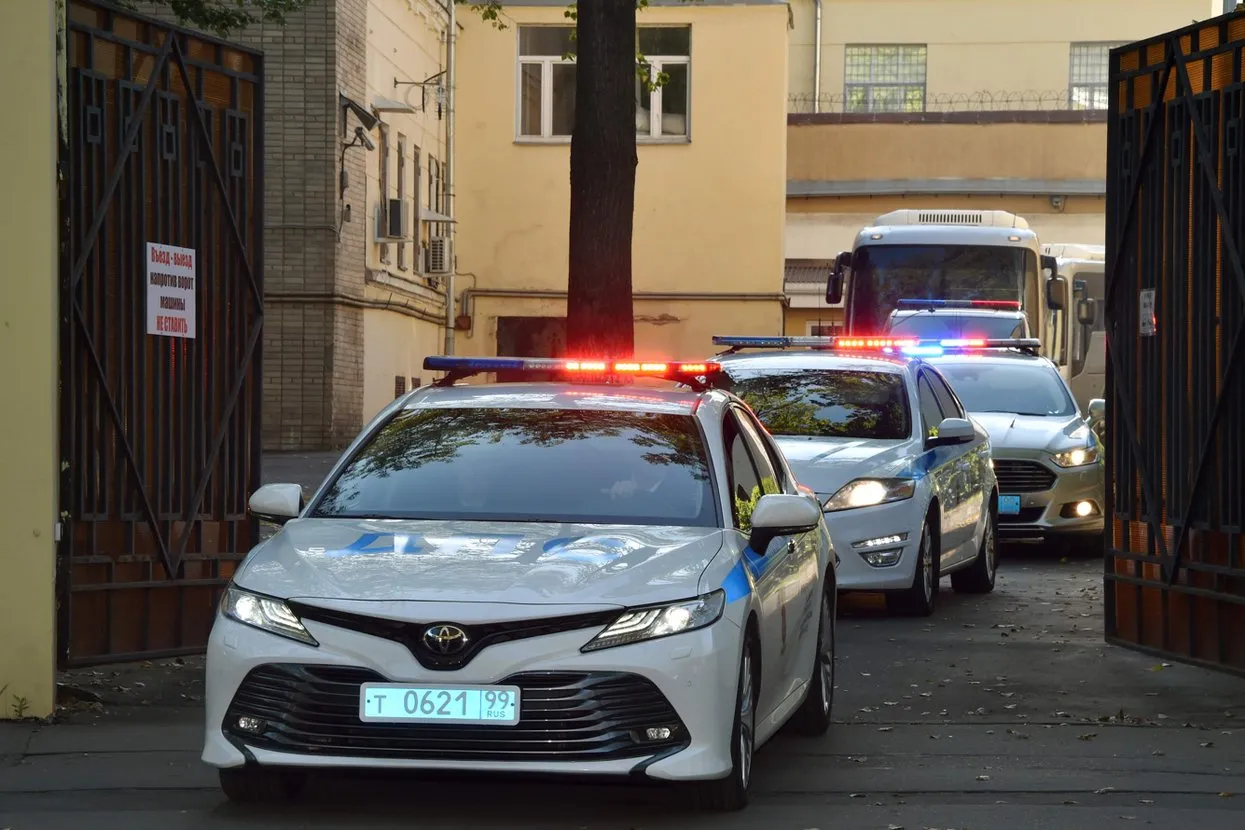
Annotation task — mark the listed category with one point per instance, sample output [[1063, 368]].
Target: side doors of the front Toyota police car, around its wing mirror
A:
[[797, 572]]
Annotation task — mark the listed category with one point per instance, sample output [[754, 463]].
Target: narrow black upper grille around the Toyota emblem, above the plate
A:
[[477, 636]]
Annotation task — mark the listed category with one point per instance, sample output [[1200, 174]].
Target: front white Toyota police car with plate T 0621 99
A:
[[573, 578]]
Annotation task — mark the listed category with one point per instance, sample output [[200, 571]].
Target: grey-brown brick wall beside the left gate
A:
[[313, 339]]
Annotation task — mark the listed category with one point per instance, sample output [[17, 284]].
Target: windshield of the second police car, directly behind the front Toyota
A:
[[826, 404]]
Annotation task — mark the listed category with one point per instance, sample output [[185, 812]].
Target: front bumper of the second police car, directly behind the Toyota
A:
[[850, 528]]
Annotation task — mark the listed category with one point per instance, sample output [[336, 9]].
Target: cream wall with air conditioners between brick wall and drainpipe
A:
[[405, 42]]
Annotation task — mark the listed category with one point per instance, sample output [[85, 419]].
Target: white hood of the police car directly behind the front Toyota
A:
[[826, 465]]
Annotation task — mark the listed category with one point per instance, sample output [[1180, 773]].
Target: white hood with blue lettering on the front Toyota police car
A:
[[472, 562]]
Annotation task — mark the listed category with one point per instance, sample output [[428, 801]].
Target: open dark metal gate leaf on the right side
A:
[[1176, 322]]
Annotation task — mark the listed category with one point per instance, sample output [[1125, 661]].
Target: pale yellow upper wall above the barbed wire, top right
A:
[[974, 45]]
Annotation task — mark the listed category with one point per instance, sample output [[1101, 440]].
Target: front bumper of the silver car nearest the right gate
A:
[[1045, 493]]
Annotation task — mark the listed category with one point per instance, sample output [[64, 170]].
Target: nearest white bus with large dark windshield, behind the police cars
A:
[[987, 257]]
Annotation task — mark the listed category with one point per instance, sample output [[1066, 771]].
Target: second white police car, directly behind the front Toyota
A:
[[902, 471]]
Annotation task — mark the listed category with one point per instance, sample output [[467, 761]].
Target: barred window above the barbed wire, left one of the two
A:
[[885, 79]]
